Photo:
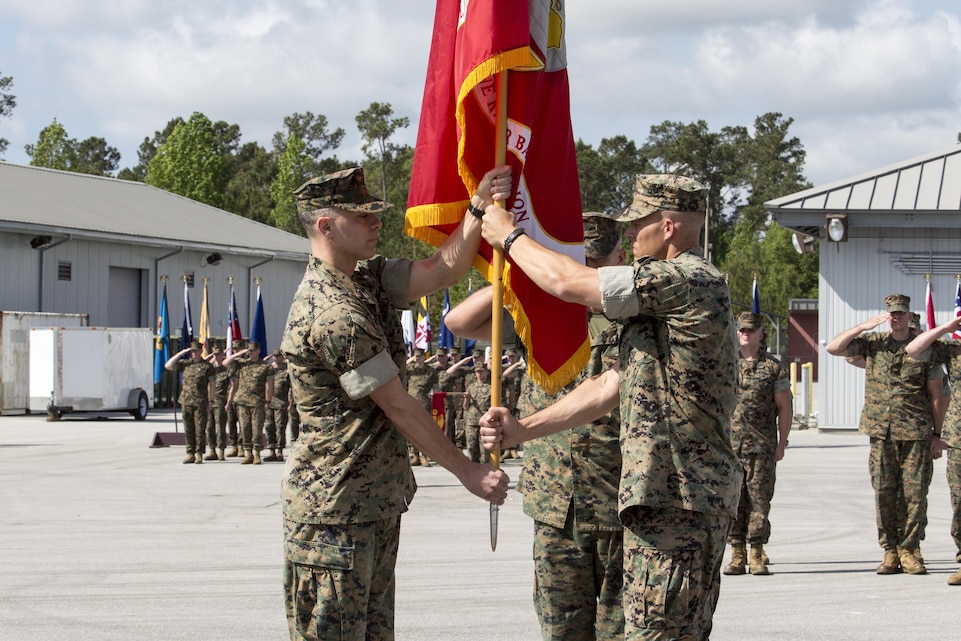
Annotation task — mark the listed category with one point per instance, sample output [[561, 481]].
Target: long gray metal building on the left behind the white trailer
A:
[[72, 243]]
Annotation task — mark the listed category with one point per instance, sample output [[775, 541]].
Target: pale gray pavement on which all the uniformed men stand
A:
[[103, 538]]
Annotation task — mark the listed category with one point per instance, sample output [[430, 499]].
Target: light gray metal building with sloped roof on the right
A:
[[883, 232]]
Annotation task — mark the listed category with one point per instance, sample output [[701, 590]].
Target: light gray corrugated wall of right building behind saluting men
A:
[[855, 278]]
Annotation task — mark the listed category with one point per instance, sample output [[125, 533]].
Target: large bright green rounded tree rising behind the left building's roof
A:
[[192, 163]]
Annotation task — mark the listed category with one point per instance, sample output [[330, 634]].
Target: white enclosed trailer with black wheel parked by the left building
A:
[[91, 369]]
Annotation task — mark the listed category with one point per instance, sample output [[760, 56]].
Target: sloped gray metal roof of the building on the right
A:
[[920, 192]]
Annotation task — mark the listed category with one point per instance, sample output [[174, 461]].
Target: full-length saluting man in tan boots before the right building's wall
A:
[[898, 416]]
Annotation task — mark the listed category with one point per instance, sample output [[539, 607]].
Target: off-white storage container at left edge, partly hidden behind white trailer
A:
[[15, 353]]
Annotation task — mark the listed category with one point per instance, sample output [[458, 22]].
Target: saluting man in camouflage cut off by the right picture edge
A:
[[926, 348]]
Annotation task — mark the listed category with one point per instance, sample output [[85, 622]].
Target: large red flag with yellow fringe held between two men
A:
[[473, 41]]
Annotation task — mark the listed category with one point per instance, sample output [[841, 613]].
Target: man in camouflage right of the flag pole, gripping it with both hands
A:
[[680, 478]]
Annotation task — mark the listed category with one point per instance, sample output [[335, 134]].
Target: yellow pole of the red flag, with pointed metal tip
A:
[[497, 309]]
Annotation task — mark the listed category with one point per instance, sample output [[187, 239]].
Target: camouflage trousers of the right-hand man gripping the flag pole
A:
[[672, 572]]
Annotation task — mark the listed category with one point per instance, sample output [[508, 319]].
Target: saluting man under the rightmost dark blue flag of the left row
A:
[[251, 391]]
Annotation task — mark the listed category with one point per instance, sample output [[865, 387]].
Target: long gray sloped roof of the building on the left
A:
[[34, 199]]
